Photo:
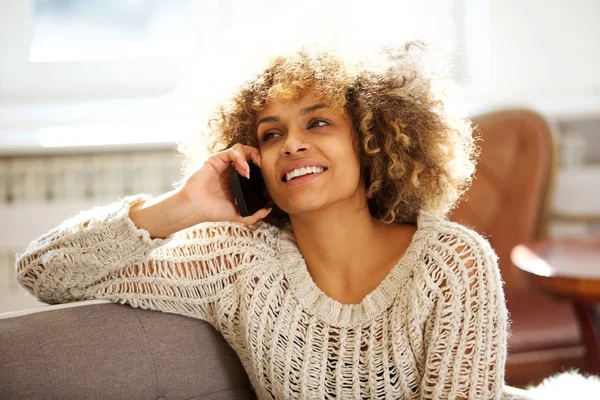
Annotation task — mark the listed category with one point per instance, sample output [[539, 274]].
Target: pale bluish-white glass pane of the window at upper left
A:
[[91, 30]]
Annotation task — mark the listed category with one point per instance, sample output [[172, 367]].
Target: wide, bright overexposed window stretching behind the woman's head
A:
[[98, 48]]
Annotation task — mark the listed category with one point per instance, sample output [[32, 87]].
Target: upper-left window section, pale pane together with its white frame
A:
[[84, 49]]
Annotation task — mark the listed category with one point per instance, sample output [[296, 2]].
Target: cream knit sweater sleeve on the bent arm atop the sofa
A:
[[101, 254]]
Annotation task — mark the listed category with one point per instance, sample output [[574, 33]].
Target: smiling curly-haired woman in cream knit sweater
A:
[[351, 284]]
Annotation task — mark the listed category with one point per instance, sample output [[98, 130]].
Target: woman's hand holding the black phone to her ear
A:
[[209, 190]]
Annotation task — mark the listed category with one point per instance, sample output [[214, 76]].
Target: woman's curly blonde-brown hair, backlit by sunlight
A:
[[414, 156]]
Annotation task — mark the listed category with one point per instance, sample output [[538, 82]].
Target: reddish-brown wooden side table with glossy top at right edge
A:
[[567, 268]]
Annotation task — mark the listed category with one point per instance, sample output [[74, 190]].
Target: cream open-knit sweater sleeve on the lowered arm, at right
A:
[[466, 331]]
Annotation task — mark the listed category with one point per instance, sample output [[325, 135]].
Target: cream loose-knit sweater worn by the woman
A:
[[434, 328]]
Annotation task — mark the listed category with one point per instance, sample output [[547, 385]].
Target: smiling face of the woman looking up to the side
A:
[[308, 156]]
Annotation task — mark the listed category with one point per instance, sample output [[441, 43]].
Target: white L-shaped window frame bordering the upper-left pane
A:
[[23, 79]]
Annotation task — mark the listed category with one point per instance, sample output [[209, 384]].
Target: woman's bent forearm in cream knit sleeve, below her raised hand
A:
[[59, 265]]
